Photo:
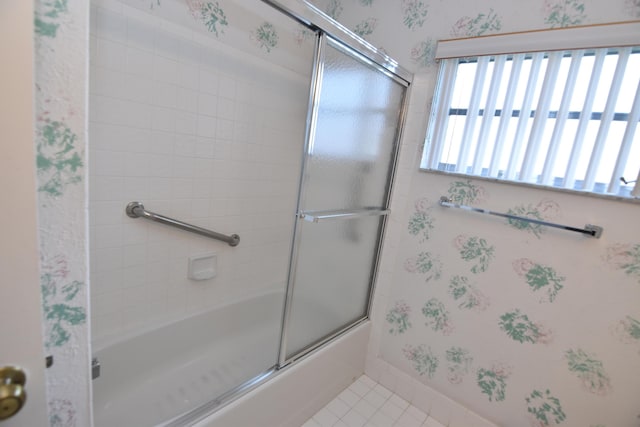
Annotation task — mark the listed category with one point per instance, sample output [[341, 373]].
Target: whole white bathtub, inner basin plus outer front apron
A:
[[153, 378]]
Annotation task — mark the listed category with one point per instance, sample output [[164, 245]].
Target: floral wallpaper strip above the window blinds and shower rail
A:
[[407, 30]]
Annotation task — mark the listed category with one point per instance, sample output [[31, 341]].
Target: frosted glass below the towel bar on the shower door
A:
[[333, 279]]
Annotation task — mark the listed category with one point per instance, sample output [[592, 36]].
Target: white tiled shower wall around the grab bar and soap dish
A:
[[197, 131]]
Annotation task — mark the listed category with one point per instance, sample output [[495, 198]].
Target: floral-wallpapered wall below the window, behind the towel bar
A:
[[523, 326]]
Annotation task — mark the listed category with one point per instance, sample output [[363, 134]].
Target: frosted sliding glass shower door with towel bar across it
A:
[[344, 196]]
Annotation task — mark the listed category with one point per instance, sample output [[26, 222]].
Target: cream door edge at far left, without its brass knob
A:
[[20, 312]]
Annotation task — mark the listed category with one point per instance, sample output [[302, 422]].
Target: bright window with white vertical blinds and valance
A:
[[562, 118]]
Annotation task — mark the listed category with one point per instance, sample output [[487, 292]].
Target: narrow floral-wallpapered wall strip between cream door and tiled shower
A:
[[61, 36]]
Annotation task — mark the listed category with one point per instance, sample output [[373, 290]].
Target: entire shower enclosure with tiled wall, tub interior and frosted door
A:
[[261, 119]]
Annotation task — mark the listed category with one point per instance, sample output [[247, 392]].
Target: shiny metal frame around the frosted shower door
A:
[[312, 116]]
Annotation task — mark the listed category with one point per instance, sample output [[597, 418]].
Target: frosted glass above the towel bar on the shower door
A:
[[354, 144]]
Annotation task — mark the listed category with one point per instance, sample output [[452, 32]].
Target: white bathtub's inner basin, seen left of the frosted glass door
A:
[[151, 378]]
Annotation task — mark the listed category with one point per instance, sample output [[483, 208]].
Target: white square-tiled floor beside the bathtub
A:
[[366, 403]]
